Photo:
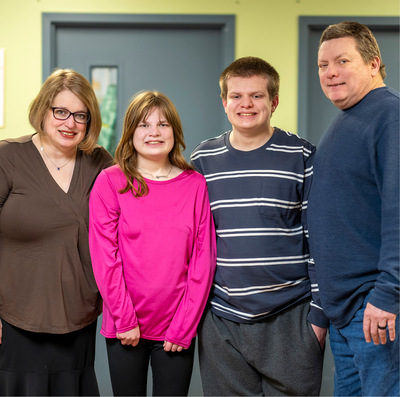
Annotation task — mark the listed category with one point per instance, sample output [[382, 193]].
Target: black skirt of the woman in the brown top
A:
[[41, 364]]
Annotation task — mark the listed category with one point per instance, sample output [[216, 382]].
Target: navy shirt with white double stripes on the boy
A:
[[257, 199]]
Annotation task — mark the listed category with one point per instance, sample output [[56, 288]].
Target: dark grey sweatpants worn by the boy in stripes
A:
[[280, 355]]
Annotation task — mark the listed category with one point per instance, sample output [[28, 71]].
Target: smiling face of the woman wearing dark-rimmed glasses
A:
[[67, 134]]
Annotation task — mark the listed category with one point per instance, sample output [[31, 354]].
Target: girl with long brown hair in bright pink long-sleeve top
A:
[[153, 242]]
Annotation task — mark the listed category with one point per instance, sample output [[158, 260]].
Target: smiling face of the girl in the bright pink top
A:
[[153, 138]]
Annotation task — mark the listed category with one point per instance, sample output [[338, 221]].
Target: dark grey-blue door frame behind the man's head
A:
[[307, 24]]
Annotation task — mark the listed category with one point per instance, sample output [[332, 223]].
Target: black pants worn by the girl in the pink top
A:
[[129, 367]]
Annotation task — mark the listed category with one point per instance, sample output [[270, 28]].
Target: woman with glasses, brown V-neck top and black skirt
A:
[[49, 302]]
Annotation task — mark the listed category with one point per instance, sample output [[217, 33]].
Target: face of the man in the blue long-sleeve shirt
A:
[[344, 76]]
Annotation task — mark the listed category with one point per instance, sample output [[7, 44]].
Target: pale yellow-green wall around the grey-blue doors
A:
[[264, 28]]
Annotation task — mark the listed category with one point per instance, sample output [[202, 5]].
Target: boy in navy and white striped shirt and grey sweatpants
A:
[[262, 334]]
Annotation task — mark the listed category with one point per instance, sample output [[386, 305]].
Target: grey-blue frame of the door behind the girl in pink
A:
[[52, 21]]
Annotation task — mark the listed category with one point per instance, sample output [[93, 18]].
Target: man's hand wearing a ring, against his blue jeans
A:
[[376, 323]]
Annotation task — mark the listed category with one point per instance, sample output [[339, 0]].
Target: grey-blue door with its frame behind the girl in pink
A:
[[179, 56]]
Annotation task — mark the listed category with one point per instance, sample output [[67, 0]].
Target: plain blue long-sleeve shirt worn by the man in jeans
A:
[[353, 212]]
